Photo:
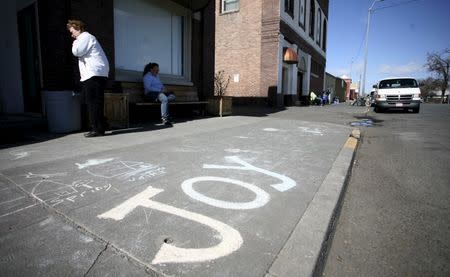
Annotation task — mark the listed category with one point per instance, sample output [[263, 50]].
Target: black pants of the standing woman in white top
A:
[[93, 89]]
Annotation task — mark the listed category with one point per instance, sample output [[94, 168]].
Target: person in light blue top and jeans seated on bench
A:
[[154, 90]]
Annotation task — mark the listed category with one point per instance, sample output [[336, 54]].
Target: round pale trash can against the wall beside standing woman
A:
[[63, 111]]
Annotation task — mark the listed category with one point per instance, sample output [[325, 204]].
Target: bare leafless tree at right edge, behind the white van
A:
[[439, 64]]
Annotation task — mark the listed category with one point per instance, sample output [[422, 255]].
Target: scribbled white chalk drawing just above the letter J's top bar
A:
[[126, 170]]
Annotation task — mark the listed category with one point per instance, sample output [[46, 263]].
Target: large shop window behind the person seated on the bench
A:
[[148, 32]]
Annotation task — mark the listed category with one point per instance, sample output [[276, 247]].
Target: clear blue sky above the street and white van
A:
[[402, 32]]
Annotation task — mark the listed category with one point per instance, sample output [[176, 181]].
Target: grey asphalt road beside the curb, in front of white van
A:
[[395, 218]]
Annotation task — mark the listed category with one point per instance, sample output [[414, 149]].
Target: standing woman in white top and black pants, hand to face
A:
[[94, 70]]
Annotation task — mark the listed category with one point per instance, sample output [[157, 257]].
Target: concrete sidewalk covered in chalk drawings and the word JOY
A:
[[232, 196]]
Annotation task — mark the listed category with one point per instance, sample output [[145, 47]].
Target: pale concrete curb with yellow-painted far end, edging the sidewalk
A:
[[305, 251]]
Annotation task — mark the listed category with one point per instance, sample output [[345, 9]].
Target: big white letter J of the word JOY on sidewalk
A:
[[231, 238]]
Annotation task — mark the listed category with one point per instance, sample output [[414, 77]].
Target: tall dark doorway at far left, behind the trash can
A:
[[29, 59]]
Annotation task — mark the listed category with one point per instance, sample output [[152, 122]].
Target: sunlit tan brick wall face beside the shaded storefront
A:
[[238, 47]]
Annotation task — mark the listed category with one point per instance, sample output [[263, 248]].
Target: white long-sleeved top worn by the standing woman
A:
[[92, 60]]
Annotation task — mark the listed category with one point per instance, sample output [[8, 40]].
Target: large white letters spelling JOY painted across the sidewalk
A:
[[231, 239]]
